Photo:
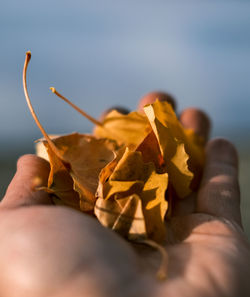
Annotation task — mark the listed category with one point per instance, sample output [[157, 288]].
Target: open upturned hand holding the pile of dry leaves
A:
[[54, 251]]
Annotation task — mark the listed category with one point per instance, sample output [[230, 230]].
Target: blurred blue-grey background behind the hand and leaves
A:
[[104, 53]]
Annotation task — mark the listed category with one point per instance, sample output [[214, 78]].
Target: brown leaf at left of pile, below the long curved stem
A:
[[82, 157]]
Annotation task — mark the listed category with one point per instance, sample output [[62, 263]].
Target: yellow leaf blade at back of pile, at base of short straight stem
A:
[[128, 129]]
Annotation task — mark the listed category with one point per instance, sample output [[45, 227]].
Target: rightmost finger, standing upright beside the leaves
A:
[[219, 194]]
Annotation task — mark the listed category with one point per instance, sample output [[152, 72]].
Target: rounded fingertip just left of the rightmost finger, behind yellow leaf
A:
[[197, 120]]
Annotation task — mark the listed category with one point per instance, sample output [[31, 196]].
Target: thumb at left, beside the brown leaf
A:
[[32, 172]]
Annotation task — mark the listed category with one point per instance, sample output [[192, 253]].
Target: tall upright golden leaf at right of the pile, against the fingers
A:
[[176, 148]]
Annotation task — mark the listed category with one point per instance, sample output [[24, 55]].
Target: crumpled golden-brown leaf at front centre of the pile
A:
[[131, 177]]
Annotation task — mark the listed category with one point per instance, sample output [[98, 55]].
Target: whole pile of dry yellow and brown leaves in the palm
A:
[[123, 172]]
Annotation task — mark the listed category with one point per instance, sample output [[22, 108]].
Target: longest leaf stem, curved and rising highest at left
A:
[[51, 144]]
